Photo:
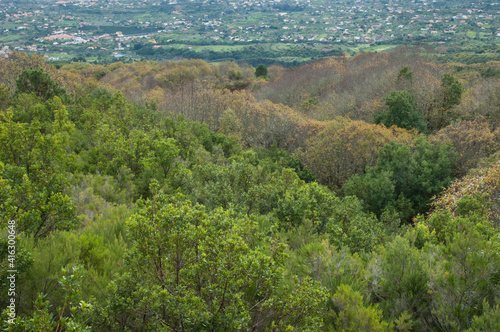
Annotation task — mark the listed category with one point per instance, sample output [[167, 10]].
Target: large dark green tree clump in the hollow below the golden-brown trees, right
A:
[[405, 178]]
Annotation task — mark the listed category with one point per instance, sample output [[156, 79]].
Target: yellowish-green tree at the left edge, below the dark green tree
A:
[[33, 176]]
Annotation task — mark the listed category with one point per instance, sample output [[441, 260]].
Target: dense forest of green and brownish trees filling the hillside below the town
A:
[[355, 193]]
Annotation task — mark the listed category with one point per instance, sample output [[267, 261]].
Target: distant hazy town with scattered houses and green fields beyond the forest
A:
[[220, 30]]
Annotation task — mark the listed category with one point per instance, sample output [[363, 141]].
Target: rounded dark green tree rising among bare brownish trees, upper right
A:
[[401, 112]]
